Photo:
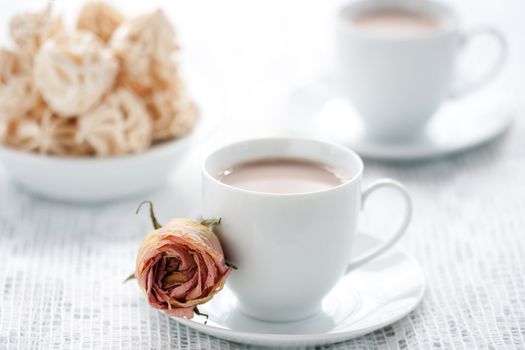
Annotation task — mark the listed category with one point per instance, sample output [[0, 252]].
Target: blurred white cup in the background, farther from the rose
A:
[[397, 81]]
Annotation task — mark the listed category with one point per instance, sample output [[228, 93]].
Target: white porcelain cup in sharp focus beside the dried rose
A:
[[290, 249]]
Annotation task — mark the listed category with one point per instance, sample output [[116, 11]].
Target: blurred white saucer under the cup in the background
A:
[[320, 110]]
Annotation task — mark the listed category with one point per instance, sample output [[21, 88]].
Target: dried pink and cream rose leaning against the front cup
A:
[[180, 266]]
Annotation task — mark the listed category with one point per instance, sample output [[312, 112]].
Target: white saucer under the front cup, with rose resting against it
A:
[[371, 297]]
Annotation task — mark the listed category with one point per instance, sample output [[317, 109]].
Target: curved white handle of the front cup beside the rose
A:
[[366, 257]]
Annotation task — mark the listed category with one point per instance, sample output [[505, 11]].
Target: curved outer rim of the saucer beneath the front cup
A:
[[310, 339]]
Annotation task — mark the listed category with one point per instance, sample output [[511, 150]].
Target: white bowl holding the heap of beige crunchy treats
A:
[[93, 179]]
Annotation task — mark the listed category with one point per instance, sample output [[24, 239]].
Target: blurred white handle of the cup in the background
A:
[[468, 87]]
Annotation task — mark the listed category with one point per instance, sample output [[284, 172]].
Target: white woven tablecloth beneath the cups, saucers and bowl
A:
[[62, 265]]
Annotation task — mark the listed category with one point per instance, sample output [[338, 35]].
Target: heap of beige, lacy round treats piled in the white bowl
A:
[[109, 87]]
